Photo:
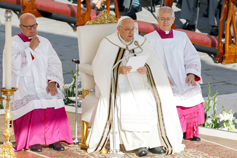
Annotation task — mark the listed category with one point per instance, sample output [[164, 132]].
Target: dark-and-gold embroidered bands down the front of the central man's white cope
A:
[[108, 125]]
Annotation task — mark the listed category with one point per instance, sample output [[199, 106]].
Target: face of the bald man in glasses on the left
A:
[[29, 26]]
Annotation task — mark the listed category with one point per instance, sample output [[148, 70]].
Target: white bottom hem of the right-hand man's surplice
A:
[[190, 102]]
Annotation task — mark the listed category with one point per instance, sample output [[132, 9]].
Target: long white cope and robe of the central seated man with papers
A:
[[147, 114]]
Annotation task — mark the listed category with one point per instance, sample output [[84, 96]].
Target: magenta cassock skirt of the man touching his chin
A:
[[42, 126]]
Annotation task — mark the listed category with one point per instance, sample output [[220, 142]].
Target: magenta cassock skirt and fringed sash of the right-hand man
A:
[[190, 118]]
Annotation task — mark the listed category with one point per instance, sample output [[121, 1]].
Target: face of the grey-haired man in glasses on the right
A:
[[165, 20]]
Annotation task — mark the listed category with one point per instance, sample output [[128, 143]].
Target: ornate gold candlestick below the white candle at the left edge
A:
[[6, 150]]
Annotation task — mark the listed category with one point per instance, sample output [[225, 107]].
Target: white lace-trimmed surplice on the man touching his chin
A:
[[31, 76]]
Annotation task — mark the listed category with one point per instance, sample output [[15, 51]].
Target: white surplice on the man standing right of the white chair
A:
[[179, 58]]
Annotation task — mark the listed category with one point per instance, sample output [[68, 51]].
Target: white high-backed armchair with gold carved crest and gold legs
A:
[[89, 38]]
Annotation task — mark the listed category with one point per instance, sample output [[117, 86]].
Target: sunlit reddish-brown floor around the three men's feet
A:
[[209, 147]]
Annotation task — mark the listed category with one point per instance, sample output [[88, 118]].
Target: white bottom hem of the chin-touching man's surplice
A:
[[37, 104]]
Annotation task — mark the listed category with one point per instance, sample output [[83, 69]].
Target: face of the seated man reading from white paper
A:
[[126, 30]]
